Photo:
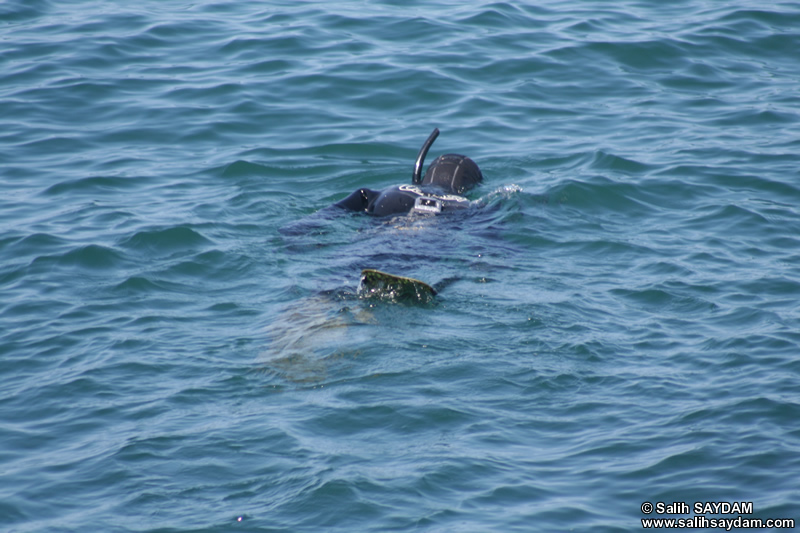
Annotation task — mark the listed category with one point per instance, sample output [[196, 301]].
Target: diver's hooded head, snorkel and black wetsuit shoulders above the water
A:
[[441, 190]]
